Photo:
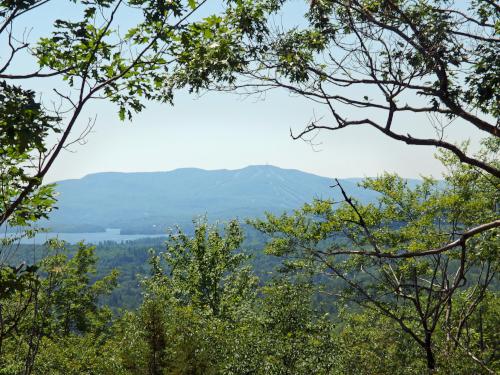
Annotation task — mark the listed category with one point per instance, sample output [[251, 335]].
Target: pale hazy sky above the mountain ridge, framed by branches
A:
[[228, 131]]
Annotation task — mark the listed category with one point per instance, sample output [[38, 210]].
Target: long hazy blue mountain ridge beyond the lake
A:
[[149, 202]]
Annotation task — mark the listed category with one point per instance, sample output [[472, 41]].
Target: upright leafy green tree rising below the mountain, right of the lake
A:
[[207, 271]]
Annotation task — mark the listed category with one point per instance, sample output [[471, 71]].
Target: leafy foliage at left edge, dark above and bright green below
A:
[[24, 127]]
